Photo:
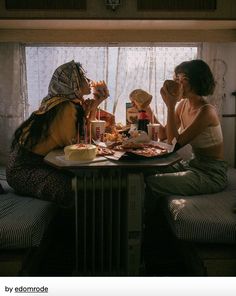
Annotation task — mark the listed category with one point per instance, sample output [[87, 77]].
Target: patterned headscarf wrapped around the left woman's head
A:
[[65, 85]]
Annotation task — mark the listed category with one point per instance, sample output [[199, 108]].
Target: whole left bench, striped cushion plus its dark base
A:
[[24, 226]]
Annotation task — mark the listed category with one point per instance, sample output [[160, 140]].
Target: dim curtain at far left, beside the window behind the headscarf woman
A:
[[12, 93]]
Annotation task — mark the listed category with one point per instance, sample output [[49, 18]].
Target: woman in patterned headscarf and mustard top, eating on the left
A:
[[54, 125]]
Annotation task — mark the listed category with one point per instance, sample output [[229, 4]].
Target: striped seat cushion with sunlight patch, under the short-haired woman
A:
[[203, 218]]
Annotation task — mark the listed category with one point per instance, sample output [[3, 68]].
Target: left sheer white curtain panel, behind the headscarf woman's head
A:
[[41, 62]]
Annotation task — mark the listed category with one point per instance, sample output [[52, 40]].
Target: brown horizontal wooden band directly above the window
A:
[[74, 36]]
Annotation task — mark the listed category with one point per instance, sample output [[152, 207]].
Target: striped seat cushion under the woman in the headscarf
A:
[[23, 220]]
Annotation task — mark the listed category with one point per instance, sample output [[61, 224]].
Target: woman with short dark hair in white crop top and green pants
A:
[[192, 121]]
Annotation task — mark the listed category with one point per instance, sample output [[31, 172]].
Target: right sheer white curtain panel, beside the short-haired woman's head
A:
[[147, 68]]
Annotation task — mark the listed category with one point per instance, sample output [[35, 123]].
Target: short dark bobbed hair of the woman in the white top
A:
[[200, 76]]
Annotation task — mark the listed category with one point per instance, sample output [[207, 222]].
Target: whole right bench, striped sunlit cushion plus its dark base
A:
[[205, 230]]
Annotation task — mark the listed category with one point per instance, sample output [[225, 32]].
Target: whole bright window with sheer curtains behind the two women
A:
[[123, 68]]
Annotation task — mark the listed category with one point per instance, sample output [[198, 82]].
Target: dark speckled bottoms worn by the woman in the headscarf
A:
[[29, 175]]
